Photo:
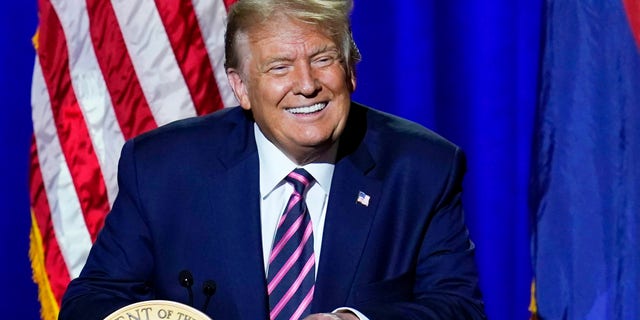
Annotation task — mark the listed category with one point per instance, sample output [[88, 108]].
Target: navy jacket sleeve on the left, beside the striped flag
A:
[[120, 260]]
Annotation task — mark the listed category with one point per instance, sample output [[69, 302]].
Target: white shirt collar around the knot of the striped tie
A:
[[275, 166]]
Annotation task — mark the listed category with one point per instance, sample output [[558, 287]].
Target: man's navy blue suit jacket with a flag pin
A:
[[189, 199]]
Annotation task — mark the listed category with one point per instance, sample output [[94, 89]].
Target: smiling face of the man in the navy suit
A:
[[292, 79]]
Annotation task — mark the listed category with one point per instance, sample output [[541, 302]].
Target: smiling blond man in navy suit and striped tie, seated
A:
[[372, 225]]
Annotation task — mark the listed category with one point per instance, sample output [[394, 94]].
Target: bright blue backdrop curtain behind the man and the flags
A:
[[466, 69]]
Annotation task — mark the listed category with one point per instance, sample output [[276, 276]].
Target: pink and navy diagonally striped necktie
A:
[[291, 278]]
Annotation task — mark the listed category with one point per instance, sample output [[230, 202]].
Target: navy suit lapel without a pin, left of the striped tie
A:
[[235, 203]]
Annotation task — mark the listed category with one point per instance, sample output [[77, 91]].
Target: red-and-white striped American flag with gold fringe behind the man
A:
[[106, 71]]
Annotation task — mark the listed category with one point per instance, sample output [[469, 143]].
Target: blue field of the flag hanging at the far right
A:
[[585, 191]]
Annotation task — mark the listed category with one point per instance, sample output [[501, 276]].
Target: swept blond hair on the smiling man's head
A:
[[331, 16]]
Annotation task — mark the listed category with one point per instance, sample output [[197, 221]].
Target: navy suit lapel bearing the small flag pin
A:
[[348, 221]]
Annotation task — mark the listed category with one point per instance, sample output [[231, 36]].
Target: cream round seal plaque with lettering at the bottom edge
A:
[[157, 310]]
